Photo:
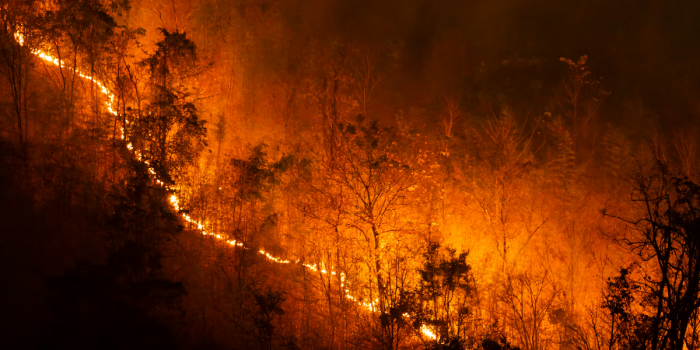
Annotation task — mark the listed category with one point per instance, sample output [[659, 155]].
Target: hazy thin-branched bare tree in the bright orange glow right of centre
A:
[[502, 188]]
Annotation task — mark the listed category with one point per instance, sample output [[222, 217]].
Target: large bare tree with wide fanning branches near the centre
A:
[[368, 186]]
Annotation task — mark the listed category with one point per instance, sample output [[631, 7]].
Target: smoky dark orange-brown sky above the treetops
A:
[[646, 52]]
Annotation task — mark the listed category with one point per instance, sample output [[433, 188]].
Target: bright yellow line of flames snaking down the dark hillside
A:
[[174, 201]]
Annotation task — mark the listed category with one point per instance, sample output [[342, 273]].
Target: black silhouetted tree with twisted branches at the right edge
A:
[[665, 235]]
